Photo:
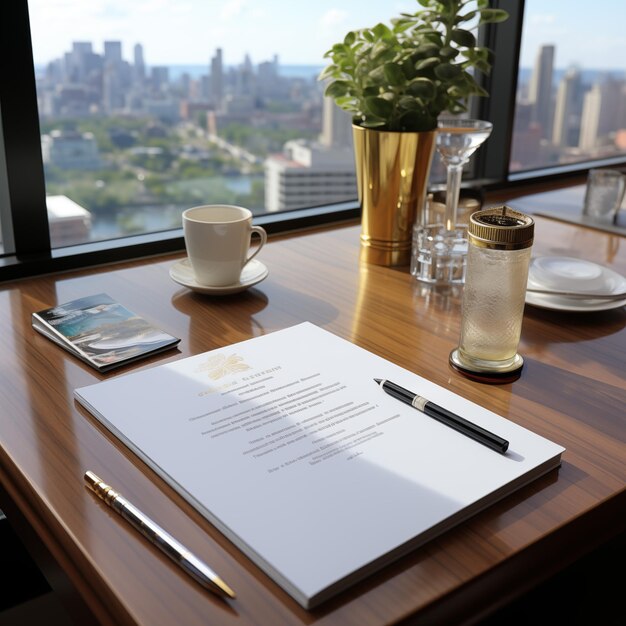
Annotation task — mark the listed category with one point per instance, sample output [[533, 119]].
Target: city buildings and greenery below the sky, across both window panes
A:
[[147, 140]]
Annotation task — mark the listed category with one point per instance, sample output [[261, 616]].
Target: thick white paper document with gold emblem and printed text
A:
[[288, 446]]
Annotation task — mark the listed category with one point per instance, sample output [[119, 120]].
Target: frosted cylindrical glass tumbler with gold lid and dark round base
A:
[[500, 241]]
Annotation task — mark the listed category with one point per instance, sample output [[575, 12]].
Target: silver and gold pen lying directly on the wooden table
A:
[[160, 538]]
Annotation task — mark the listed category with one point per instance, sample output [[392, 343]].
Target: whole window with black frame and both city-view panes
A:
[[112, 126]]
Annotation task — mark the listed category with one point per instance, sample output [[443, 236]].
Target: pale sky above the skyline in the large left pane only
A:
[[189, 31]]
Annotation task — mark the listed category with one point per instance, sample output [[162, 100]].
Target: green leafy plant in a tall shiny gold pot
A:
[[395, 81]]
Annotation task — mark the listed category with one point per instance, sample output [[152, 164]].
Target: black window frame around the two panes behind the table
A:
[[24, 222]]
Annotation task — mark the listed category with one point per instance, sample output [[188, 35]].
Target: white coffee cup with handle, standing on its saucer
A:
[[218, 238]]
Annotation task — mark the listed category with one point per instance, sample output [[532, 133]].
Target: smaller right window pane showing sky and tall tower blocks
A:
[[571, 92]]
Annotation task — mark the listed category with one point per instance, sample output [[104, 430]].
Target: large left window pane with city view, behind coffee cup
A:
[[145, 110]]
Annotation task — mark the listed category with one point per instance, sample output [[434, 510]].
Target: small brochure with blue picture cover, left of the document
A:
[[101, 332]]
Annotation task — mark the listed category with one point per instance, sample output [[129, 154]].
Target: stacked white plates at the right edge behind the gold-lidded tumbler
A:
[[570, 274]]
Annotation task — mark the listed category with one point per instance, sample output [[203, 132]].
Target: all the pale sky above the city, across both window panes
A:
[[179, 32]]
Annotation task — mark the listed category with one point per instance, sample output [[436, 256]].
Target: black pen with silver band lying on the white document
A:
[[444, 416]]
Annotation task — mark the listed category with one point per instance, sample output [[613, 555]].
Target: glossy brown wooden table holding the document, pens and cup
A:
[[571, 390]]
